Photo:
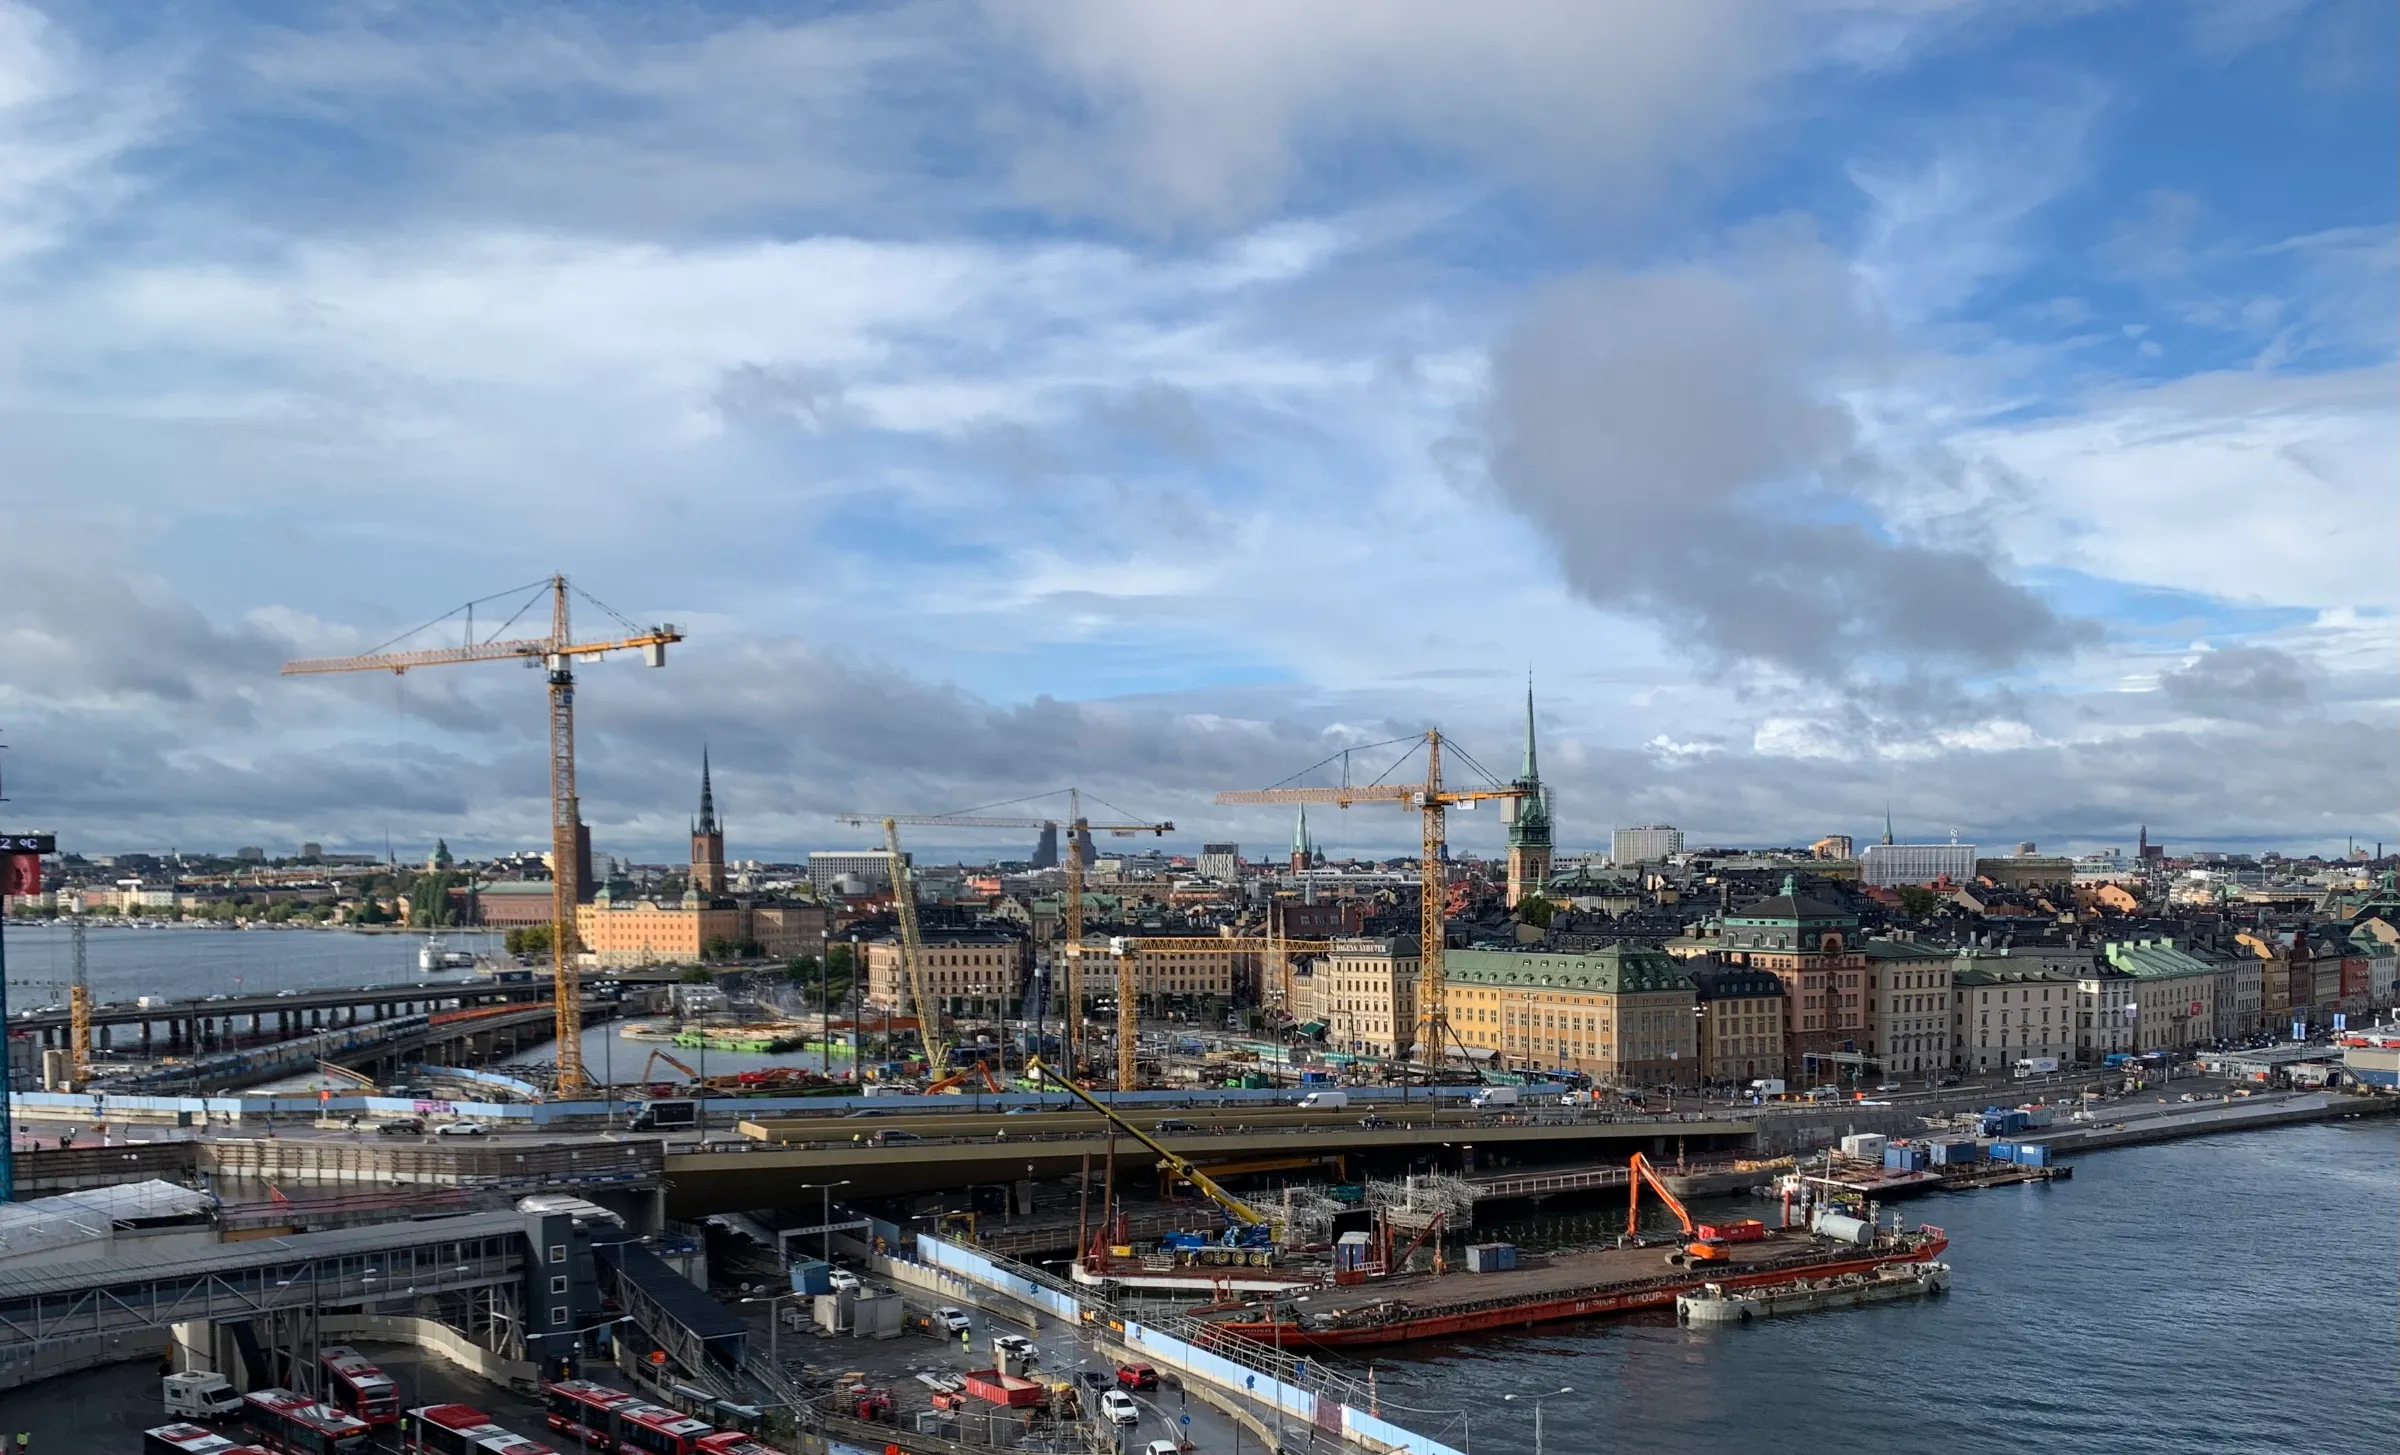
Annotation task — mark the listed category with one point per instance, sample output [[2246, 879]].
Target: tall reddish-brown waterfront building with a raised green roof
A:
[[1811, 947]]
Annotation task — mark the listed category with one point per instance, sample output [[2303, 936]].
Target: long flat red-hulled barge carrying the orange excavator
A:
[[1571, 1286]]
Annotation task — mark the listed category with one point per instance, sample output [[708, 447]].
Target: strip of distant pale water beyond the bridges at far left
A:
[[193, 962]]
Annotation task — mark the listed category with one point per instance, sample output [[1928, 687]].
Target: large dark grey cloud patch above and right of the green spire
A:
[[1681, 441]]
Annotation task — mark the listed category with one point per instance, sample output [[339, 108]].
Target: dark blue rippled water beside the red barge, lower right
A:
[[2200, 1298]]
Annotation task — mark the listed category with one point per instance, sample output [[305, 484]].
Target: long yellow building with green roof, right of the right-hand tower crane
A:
[[1619, 1014]]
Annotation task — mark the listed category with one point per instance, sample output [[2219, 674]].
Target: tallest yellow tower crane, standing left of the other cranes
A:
[[556, 654]]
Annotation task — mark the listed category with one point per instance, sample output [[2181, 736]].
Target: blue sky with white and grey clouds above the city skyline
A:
[[1972, 409]]
